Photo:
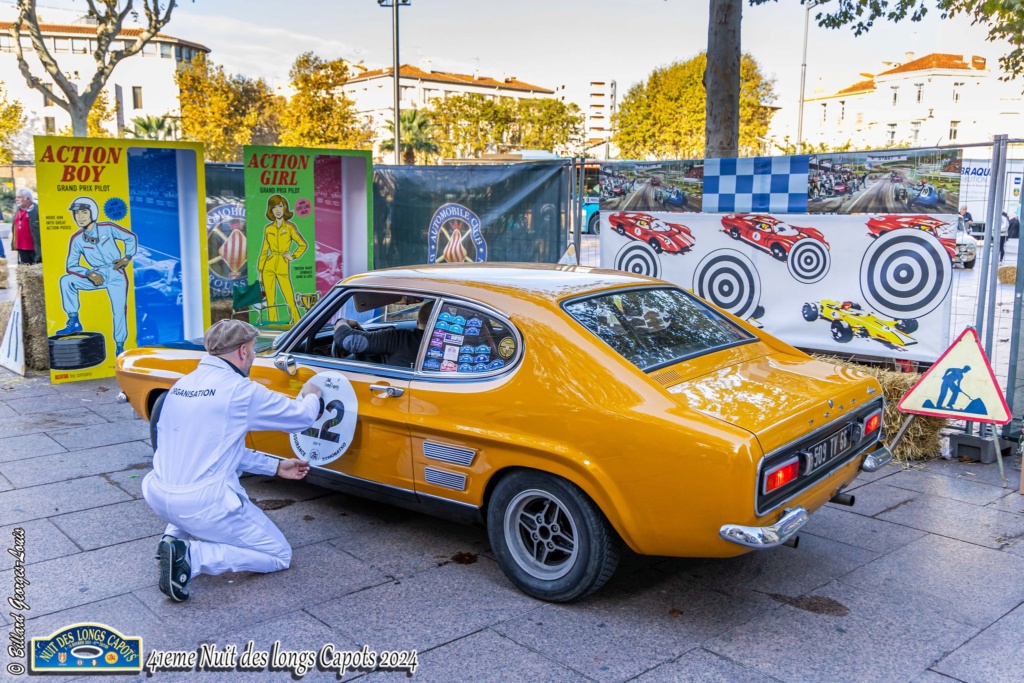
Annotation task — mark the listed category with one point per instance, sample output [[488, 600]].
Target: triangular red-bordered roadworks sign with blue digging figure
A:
[[961, 387]]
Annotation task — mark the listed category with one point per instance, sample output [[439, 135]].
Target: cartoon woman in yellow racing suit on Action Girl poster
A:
[[276, 257]]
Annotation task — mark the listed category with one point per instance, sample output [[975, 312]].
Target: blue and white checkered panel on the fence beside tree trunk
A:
[[769, 185]]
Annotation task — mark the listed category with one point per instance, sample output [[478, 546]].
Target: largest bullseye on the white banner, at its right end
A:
[[906, 274]]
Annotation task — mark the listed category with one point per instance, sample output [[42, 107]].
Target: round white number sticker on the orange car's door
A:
[[331, 436]]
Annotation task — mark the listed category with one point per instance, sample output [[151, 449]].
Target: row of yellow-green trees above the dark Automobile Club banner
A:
[[473, 125]]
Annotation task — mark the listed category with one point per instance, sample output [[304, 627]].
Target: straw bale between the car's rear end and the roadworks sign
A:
[[922, 441]]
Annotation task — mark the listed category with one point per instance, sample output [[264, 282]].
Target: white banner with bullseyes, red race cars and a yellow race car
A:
[[872, 285]]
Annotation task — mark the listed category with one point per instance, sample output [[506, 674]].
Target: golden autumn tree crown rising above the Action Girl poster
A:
[[320, 115]]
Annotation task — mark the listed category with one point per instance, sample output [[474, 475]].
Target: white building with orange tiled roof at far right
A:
[[938, 100]]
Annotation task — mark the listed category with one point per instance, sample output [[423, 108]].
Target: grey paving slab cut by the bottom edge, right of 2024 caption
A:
[[474, 659]]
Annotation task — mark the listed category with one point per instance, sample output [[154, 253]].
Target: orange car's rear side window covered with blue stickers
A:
[[462, 340]]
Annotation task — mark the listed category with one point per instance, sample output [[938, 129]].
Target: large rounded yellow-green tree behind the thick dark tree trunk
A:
[[664, 117]]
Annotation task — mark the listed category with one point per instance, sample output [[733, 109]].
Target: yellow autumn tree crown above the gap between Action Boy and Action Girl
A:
[[226, 111]]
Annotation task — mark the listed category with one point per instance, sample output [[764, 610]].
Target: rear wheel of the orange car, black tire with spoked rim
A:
[[523, 497]]
